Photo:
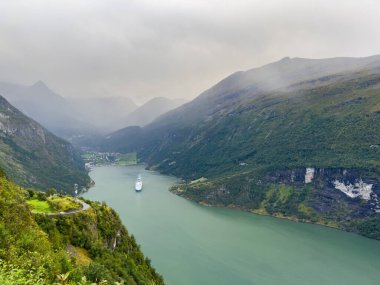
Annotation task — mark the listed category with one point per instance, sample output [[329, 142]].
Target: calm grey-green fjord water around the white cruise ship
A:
[[193, 244]]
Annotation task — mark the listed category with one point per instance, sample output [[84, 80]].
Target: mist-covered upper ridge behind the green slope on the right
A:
[[296, 73]]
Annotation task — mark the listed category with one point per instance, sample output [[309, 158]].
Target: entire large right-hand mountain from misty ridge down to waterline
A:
[[296, 138]]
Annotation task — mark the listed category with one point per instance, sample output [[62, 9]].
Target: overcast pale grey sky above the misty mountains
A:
[[143, 49]]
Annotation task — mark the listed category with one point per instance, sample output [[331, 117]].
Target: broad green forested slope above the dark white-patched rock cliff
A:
[[324, 127]]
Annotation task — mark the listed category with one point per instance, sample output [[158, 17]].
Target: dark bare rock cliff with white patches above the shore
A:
[[355, 190]]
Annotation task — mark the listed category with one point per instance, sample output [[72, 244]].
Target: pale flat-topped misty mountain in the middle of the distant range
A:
[[107, 114]]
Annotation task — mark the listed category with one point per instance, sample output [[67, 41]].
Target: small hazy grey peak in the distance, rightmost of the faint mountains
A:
[[151, 110]]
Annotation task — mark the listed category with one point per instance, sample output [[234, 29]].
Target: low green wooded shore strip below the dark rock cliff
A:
[[295, 201]]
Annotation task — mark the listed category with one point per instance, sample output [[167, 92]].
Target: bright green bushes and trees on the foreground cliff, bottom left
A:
[[88, 247]]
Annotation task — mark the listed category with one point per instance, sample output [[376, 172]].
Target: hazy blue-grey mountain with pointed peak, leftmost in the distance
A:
[[46, 107]]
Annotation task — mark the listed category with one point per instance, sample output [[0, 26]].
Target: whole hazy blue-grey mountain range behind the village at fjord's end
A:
[[72, 118]]
